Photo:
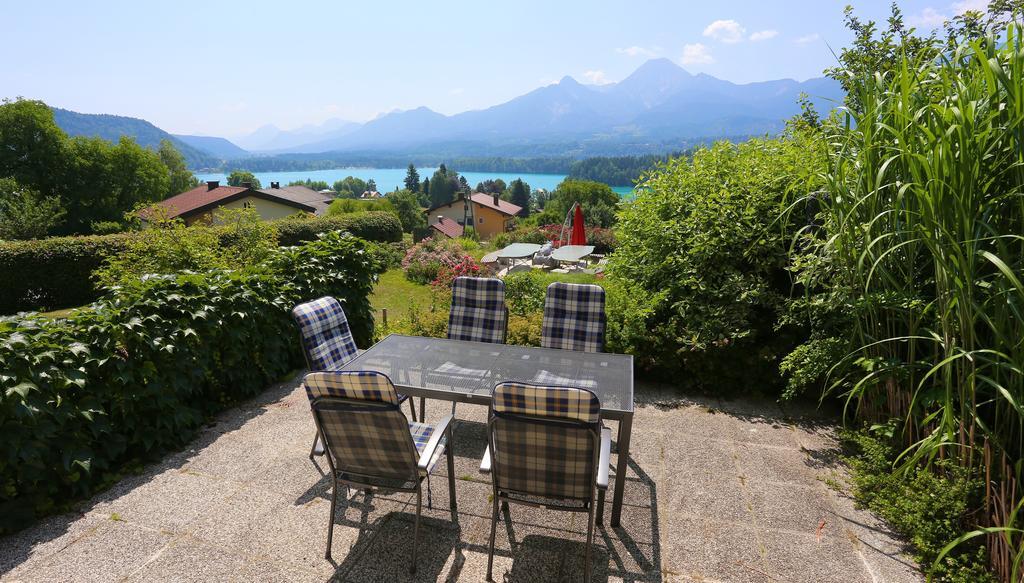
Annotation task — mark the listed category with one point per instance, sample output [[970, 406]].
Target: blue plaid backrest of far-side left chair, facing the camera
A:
[[479, 312]]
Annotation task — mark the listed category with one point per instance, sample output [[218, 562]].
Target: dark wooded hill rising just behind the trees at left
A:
[[113, 128]]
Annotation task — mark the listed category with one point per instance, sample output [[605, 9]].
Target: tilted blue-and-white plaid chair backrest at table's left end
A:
[[327, 339]]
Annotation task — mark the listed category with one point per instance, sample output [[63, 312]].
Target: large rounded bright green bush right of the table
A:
[[701, 247]]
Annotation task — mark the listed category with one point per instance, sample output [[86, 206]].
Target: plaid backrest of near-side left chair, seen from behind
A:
[[365, 432]]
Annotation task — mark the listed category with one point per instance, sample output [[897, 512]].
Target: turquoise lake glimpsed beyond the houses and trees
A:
[[391, 179]]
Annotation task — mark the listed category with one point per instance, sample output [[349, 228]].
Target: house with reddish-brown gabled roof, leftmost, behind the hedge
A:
[[199, 204]]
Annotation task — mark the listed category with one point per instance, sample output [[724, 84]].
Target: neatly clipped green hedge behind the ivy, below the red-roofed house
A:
[[57, 273]]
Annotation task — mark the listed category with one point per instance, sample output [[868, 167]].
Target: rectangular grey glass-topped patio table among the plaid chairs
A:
[[466, 372]]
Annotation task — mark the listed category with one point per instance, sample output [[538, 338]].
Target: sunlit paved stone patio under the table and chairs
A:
[[717, 491]]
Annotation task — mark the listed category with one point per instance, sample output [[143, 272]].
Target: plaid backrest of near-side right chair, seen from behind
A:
[[544, 440]]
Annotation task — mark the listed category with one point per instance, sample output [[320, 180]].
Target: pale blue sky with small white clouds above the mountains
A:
[[221, 68]]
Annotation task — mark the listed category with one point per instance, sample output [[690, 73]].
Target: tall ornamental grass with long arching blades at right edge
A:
[[921, 244]]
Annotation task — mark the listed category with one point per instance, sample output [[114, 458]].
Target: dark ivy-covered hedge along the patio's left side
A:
[[137, 373]]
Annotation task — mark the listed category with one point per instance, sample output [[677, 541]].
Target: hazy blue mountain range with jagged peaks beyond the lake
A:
[[659, 108]]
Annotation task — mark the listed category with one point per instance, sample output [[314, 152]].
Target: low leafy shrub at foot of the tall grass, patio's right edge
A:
[[930, 509]]
